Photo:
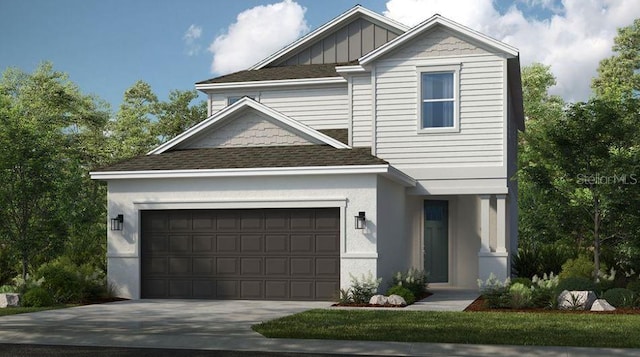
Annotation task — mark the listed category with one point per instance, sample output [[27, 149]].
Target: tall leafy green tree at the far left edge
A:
[[39, 114]]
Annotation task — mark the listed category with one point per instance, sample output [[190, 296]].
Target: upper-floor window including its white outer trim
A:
[[439, 99]]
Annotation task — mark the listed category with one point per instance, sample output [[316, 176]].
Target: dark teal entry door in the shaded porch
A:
[[436, 240]]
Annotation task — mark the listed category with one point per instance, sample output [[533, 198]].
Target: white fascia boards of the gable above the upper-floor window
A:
[[430, 23]]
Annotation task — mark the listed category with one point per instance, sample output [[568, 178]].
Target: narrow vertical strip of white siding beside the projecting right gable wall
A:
[[361, 102]]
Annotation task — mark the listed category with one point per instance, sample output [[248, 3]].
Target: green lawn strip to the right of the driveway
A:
[[541, 329]]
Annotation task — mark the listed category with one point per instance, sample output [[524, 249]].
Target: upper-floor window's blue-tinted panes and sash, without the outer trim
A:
[[438, 100]]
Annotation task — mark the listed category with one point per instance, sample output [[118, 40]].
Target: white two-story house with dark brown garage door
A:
[[363, 147]]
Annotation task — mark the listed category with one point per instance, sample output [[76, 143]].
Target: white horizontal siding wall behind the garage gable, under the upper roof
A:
[[323, 107]]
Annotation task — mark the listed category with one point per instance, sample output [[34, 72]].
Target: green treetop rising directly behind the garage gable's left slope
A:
[[178, 114]]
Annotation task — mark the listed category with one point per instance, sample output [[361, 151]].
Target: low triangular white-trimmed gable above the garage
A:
[[218, 130]]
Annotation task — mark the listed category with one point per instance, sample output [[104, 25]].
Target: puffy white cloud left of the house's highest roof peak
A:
[[257, 33]]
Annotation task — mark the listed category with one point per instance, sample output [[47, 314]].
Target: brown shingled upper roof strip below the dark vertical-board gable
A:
[[279, 73]]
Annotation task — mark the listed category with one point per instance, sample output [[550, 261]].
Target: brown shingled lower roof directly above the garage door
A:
[[248, 157]]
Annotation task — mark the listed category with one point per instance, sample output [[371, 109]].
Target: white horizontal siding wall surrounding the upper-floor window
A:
[[480, 139]]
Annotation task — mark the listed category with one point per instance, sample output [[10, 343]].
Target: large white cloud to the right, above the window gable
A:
[[572, 41]]
